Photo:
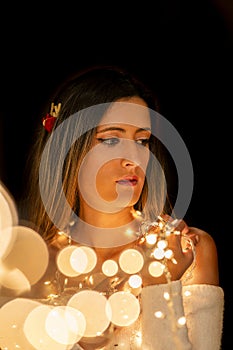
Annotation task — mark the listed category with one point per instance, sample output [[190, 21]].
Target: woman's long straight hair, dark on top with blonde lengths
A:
[[95, 86]]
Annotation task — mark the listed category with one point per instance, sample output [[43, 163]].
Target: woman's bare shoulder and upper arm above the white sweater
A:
[[206, 270]]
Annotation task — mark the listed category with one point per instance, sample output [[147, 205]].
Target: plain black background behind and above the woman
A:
[[182, 49]]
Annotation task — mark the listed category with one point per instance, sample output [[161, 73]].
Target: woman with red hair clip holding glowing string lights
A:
[[98, 183]]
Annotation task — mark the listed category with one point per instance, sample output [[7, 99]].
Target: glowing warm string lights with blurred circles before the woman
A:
[[88, 299]]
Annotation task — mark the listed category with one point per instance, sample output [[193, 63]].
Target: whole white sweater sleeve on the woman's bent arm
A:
[[202, 306]]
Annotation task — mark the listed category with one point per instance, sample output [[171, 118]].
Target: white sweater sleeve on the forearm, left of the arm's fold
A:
[[162, 307]]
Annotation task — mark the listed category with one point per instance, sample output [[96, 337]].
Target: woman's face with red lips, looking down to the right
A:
[[113, 172]]
